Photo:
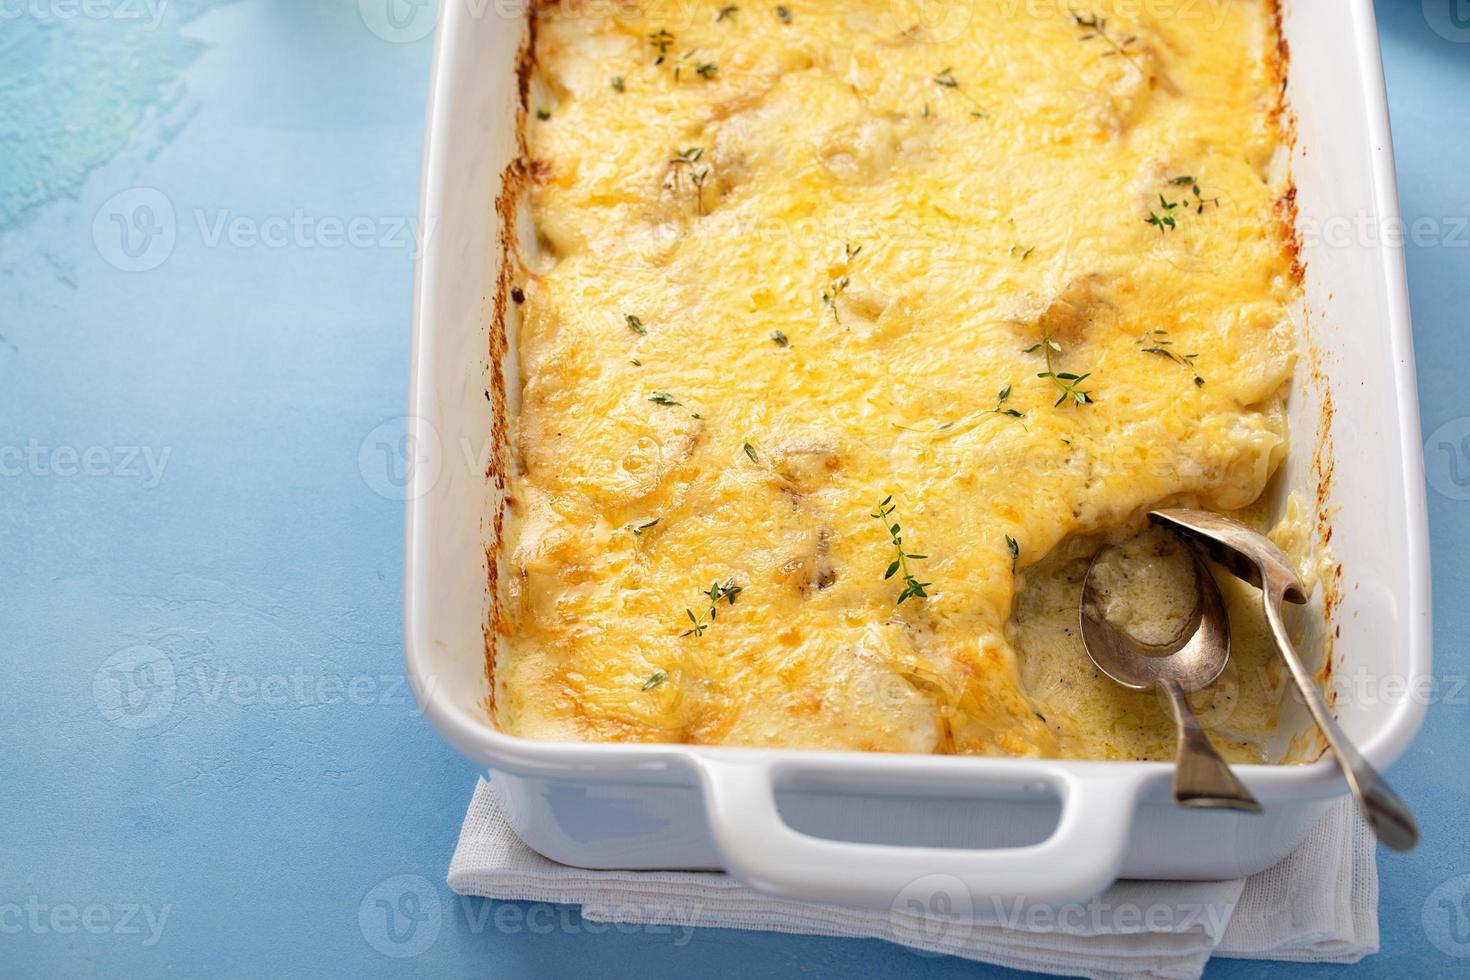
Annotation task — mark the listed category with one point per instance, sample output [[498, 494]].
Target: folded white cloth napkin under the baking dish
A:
[[1318, 906]]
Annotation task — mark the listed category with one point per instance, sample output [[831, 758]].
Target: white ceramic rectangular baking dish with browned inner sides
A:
[[862, 829]]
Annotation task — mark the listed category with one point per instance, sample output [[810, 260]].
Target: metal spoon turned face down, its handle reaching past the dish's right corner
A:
[[1252, 556]]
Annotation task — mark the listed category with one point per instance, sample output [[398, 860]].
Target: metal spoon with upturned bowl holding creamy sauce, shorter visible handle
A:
[[1193, 660]]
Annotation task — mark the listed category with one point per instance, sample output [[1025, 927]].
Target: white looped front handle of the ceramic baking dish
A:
[[1080, 860]]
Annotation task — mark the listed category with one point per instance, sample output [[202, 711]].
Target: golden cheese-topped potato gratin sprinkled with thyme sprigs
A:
[[849, 331]]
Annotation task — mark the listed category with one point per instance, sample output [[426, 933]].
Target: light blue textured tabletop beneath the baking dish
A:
[[204, 707]]
